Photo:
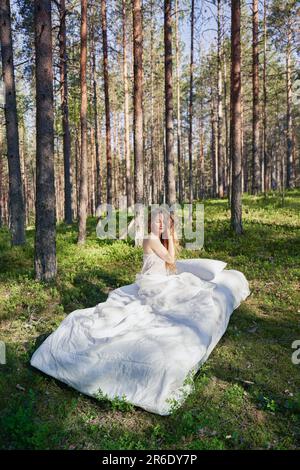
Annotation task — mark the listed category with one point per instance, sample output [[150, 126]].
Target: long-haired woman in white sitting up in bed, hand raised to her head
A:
[[161, 246]]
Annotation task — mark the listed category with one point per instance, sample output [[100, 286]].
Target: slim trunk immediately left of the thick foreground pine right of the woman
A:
[[220, 108]]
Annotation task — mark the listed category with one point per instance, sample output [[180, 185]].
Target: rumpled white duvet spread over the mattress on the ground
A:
[[145, 340]]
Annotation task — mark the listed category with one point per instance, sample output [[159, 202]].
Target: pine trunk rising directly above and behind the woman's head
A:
[[171, 188]]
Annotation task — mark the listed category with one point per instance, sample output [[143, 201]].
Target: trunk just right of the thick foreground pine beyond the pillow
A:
[[255, 116]]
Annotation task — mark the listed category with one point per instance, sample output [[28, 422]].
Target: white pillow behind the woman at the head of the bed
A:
[[206, 269]]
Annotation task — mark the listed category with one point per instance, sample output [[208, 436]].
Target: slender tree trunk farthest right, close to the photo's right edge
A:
[[290, 173]]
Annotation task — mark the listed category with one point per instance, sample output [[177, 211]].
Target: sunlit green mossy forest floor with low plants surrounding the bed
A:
[[247, 394]]
